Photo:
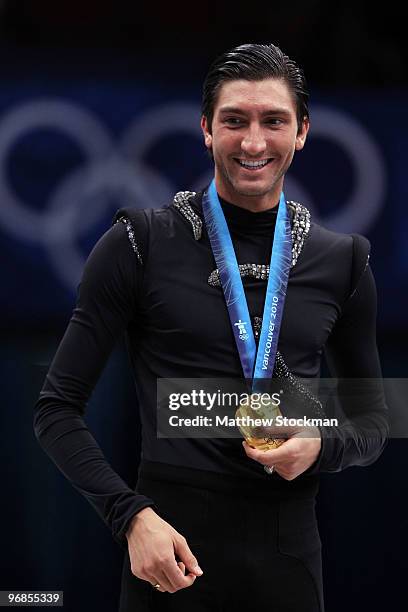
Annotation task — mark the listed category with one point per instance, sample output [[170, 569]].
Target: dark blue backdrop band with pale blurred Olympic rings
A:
[[70, 157]]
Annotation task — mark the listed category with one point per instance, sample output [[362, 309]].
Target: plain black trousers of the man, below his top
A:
[[254, 552]]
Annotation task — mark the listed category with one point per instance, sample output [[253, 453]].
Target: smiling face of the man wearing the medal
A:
[[253, 139]]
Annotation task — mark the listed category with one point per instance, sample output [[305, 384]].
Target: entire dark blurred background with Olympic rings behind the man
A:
[[100, 108]]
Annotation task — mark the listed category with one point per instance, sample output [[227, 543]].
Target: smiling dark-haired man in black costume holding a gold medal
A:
[[209, 503]]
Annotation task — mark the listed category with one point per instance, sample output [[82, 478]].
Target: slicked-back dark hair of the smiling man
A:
[[254, 62]]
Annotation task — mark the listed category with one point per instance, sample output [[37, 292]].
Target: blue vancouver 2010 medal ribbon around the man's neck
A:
[[256, 365]]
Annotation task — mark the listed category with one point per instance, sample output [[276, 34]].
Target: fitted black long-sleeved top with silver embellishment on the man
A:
[[177, 326]]
